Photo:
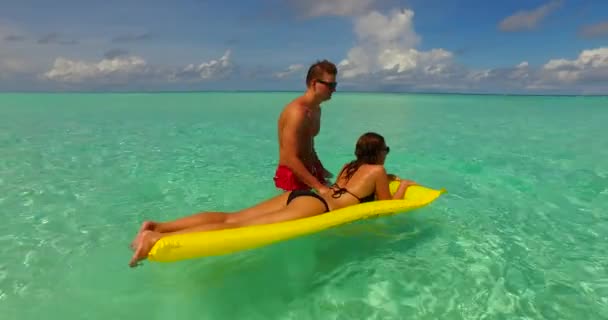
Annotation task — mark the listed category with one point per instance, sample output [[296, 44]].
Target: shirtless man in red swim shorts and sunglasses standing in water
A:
[[300, 121]]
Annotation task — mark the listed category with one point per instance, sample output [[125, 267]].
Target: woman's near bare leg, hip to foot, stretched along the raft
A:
[[301, 207]]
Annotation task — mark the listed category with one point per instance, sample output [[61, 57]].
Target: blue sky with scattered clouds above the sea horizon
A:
[[517, 46]]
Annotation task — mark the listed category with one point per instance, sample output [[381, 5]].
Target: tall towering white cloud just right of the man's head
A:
[[386, 44]]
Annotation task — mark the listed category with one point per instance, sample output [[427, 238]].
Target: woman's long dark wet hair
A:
[[367, 151]]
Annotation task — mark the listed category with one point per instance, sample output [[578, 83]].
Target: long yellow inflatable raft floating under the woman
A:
[[213, 243]]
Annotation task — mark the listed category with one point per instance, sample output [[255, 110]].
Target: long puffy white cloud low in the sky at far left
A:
[[66, 70]]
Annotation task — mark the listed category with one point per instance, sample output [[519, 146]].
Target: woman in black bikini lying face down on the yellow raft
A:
[[362, 180]]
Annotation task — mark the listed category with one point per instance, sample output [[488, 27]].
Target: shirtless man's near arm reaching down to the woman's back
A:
[[293, 136]]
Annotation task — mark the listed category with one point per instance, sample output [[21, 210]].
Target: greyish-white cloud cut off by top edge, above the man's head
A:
[[317, 8]]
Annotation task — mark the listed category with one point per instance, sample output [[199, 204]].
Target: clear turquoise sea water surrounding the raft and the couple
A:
[[521, 234]]
